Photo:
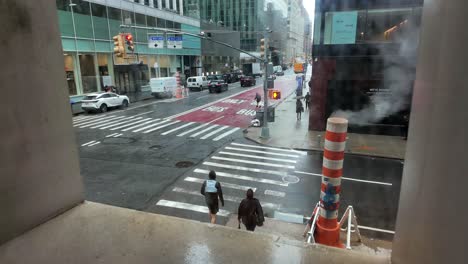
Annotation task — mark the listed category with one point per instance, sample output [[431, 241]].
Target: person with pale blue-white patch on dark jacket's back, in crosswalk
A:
[[211, 189]]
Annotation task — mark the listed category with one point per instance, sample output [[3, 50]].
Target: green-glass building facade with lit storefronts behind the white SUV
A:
[[87, 28]]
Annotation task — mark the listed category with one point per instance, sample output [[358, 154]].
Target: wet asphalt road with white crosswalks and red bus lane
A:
[[154, 155]]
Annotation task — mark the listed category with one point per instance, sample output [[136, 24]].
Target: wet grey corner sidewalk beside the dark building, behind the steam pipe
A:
[[287, 132]]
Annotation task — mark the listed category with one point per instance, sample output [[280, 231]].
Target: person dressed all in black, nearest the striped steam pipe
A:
[[250, 212]]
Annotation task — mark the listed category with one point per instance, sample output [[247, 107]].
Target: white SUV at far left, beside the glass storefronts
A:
[[104, 101]]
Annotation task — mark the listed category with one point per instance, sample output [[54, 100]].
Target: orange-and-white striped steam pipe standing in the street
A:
[[328, 230]]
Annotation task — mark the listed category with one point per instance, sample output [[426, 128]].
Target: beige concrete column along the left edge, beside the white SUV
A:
[[40, 174]]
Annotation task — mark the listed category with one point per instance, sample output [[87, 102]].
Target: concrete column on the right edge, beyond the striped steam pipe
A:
[[432, 216]]
